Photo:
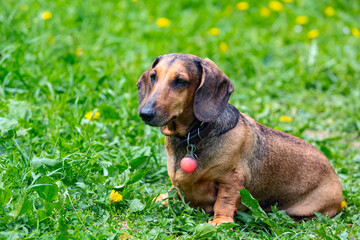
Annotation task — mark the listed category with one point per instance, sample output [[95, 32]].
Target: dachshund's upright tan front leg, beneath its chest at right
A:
[[227, 200]]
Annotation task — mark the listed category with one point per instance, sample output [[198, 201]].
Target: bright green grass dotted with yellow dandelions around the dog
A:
[[63, 62]]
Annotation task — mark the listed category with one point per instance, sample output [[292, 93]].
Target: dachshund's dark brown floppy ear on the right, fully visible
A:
[[213, 92]]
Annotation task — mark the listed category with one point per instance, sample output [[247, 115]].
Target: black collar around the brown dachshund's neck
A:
[[198, 132]]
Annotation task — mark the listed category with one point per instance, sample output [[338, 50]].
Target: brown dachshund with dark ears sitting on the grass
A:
[[188, 98]]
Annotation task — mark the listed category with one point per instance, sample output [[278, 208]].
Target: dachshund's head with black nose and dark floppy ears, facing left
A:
[[179, 87]]
